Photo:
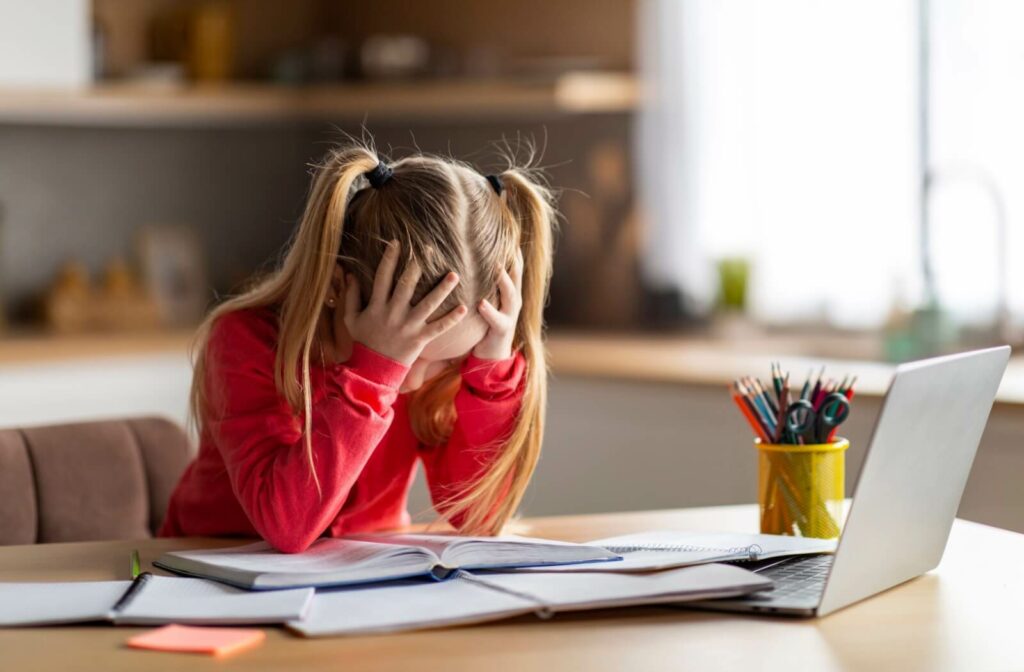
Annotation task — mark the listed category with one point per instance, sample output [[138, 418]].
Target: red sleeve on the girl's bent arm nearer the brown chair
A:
[[262, 439]]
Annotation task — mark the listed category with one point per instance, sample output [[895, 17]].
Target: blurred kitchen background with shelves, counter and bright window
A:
[[822, 184]]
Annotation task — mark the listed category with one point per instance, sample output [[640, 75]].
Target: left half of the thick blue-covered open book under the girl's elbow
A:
[[326, 562]]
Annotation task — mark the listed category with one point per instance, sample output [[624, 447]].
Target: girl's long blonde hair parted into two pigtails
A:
[[448, 218]]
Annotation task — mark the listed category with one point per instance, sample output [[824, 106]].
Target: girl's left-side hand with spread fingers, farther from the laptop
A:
[[390, 324]]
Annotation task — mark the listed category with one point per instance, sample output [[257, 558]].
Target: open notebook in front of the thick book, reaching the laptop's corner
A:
[[471, 599]]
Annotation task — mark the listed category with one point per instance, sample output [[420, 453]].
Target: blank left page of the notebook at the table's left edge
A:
[[45, 604]]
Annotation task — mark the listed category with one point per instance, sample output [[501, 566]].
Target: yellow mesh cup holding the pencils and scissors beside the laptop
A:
[[801, 488]]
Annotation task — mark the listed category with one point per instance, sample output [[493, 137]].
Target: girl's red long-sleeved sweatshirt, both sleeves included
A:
[[252, 476]]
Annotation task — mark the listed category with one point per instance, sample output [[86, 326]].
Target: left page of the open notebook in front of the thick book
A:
[[407, 606]]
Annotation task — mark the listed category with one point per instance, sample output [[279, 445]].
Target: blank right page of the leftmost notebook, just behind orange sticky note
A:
[[165, 600]]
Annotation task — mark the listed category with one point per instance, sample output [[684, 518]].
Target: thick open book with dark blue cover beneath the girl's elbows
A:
[[368, 559]]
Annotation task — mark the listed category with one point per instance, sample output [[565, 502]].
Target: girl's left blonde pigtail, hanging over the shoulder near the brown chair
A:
[[301, 288]]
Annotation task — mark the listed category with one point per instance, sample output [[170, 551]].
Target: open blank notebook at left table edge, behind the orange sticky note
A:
[[158, 601]]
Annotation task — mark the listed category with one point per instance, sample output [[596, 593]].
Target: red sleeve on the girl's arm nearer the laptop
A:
[[487, 408]]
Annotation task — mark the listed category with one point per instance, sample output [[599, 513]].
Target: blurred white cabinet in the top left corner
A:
[[46, 44]]
